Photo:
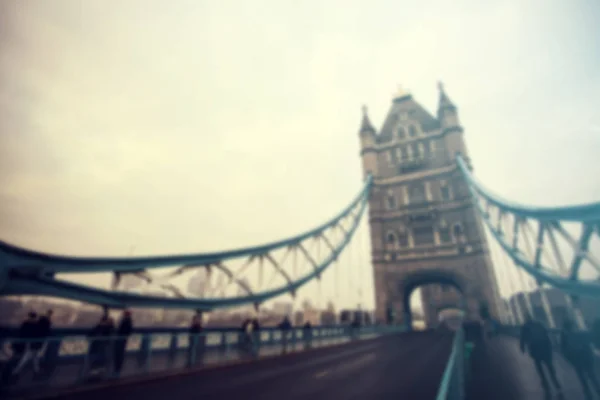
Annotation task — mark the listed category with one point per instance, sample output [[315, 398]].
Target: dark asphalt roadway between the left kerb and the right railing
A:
[[399, 366]]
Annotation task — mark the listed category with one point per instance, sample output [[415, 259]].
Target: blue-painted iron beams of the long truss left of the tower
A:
[[34, 273]]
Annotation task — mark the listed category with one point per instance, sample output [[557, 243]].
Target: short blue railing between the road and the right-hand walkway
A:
[[452, 386]]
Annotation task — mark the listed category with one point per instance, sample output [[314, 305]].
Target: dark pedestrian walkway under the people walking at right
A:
[[499, 371]]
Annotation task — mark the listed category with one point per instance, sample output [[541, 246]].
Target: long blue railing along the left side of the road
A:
[[66, 361]]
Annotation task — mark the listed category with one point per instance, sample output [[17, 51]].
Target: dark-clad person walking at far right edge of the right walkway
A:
[[577, 349]]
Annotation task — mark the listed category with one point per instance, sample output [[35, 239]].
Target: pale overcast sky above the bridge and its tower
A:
[[184, 126]]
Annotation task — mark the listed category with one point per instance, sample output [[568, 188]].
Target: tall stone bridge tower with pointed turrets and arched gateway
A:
[[424, 229]]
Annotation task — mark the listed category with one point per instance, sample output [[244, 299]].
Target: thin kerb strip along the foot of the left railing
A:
[[163, 376]]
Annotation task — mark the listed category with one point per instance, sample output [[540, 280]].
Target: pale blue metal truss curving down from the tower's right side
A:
[[557, 246]]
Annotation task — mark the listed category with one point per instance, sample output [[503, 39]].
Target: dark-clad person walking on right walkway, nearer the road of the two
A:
[[536, 342]]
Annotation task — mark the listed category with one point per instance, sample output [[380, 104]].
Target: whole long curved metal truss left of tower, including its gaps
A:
[[290, 263]]
